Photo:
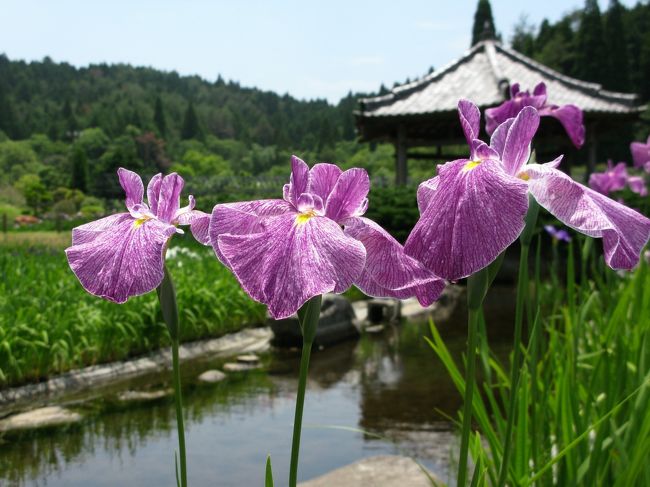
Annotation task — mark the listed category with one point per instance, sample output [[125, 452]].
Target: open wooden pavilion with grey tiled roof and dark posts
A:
[[422, 113]]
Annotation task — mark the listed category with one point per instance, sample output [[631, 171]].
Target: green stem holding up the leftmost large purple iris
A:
[[167, 299]]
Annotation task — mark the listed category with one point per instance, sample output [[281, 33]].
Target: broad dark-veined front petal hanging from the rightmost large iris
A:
[[476, 212]]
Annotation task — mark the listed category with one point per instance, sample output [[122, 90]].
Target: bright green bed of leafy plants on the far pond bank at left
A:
[[49, 324]]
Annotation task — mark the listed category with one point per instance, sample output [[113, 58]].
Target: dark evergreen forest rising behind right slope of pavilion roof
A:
[[610, 47]]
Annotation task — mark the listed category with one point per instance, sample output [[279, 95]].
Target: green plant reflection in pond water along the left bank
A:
[[120, 429]]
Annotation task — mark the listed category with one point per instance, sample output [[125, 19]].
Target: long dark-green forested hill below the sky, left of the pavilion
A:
[[58, 99]]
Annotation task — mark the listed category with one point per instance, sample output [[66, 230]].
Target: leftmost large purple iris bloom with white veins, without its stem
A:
[[123, 255]]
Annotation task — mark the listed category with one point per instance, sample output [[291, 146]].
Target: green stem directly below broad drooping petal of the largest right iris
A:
[[477, 286]]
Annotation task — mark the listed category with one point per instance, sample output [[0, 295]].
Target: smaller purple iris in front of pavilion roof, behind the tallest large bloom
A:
[[570, 116]]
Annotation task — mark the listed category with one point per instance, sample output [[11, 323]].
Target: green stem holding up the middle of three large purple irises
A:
[[308, 316]]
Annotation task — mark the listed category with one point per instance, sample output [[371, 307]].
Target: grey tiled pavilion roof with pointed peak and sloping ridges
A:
[[484, 75]]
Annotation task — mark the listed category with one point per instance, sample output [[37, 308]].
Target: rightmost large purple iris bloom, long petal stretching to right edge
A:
[[475, 208]]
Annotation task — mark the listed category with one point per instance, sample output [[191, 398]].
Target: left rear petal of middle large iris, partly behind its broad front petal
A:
[[243, 219]]
